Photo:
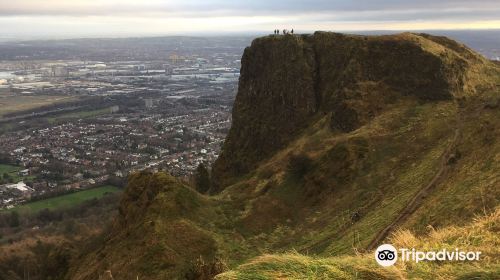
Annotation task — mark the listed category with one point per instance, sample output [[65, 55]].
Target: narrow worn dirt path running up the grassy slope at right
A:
[[418, 199]]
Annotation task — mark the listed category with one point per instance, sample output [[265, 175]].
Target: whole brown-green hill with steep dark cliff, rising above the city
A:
[[337, 142]]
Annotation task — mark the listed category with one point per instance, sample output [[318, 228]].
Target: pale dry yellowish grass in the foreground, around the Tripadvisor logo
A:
[[481, 235]]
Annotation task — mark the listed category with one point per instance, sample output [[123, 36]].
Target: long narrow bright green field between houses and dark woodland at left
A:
[[65, 201]]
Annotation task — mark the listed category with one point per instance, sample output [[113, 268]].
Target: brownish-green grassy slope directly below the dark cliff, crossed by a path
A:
[[374, 172]]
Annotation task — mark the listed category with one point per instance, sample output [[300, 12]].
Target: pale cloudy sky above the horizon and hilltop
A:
[[121, 18]]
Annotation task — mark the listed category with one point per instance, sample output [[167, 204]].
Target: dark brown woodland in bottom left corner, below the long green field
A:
[[51, 259]]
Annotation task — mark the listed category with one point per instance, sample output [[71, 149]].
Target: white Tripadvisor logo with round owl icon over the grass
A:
[[387, 255]]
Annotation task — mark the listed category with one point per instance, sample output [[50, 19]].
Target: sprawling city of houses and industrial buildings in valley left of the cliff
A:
[[77, 114]]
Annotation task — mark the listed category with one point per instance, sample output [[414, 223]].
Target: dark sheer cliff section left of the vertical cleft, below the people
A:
[[276, 96]]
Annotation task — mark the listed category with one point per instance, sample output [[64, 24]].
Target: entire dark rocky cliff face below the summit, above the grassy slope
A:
[[287, 81]]
